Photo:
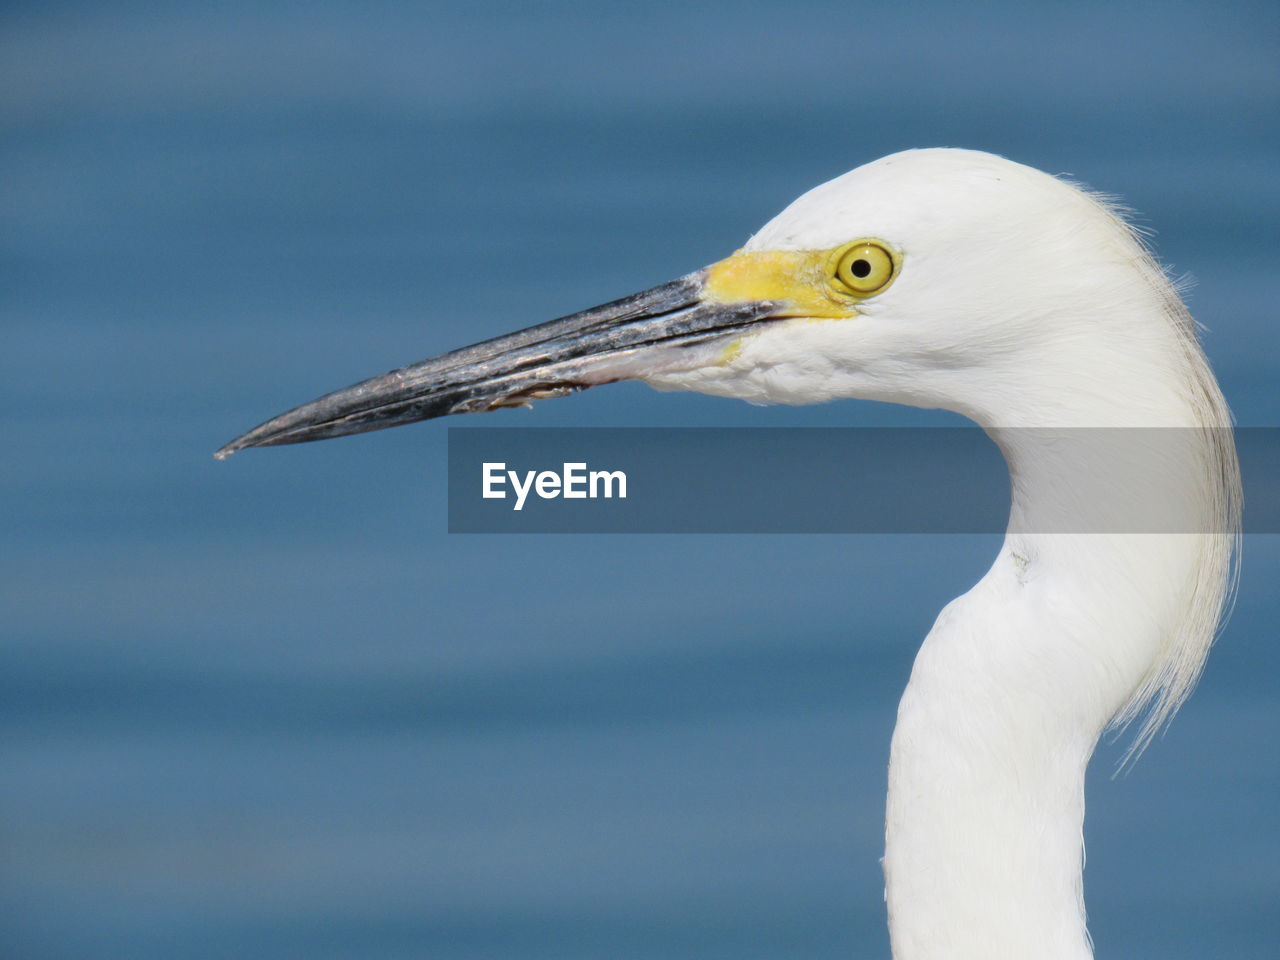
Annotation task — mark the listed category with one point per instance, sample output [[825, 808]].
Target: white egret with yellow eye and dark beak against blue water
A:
[[956, 280]]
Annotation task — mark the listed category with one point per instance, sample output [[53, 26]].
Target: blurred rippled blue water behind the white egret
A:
[[268, 708]]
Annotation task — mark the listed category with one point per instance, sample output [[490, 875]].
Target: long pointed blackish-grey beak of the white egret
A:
[[625, 340]]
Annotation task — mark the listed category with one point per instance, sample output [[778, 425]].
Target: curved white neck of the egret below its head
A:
[[1077, 621]]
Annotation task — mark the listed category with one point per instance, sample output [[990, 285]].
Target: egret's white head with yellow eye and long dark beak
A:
[[941, 278]]
